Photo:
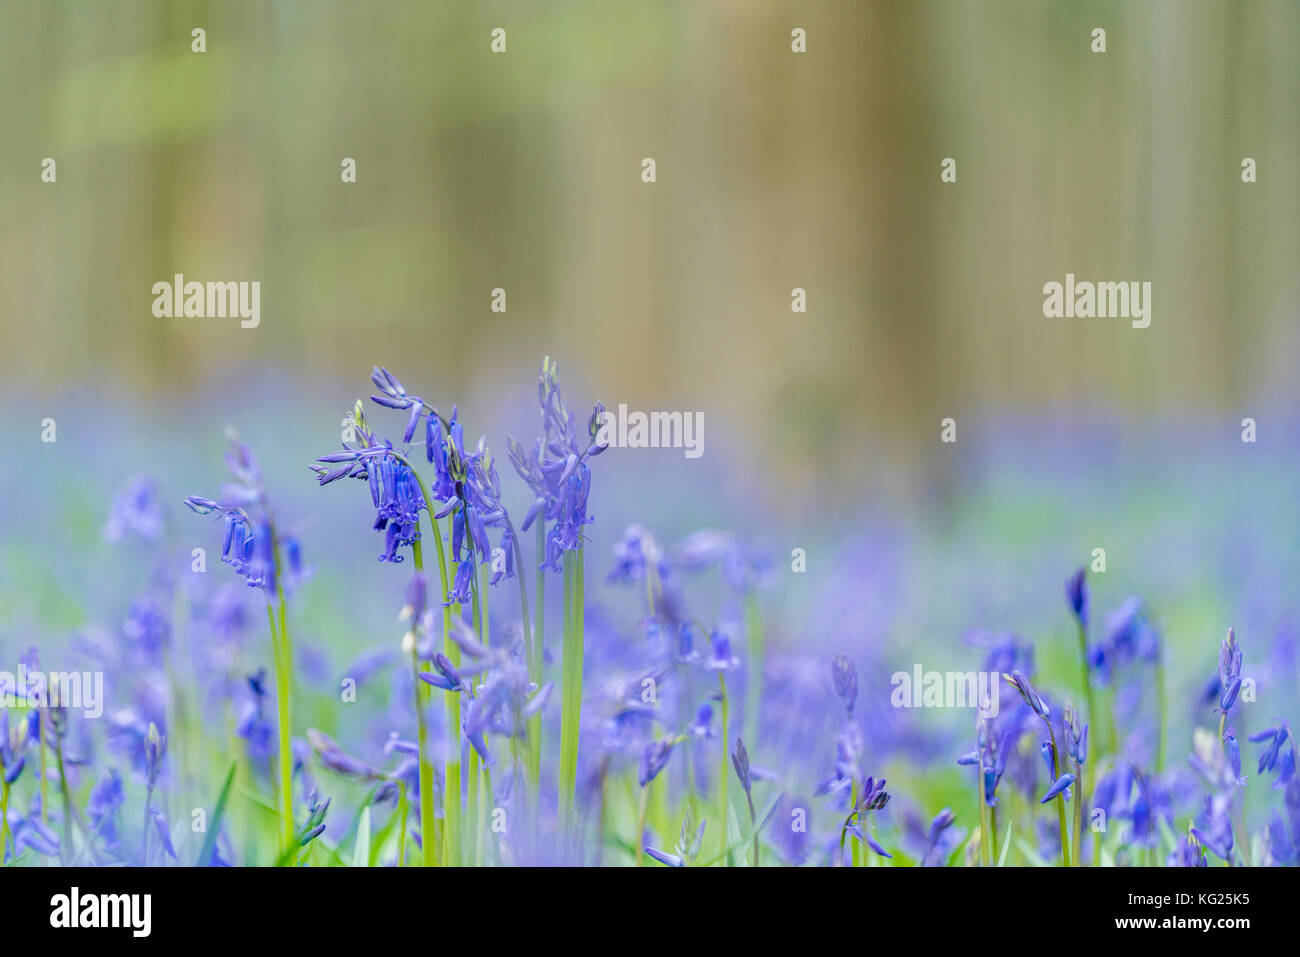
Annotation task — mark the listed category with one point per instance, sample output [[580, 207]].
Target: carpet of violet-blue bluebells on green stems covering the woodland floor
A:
[[534, 674]]
